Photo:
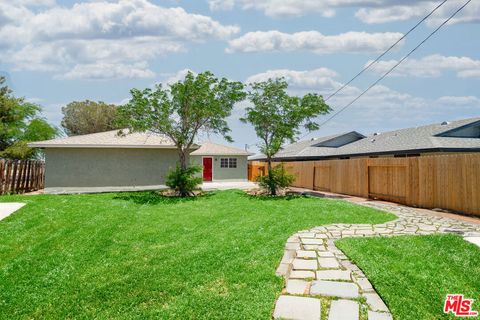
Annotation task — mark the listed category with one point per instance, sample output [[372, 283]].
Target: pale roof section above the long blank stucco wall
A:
[[109, 139]]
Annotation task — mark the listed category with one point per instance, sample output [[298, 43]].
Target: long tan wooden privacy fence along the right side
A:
[[438, 181]]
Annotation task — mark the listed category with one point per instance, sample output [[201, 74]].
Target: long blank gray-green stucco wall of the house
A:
[[95, 167]]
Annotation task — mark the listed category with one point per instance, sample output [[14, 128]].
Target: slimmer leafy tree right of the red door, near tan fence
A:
[[277, 117]]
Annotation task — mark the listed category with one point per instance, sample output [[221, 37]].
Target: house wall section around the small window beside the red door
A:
[[240, 173]]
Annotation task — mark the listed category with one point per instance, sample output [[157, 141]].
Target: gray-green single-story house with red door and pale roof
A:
[[107, 161]]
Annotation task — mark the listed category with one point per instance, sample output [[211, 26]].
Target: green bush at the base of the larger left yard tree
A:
[[184, 181]]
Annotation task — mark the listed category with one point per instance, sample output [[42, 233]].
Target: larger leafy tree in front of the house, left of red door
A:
[[184, 109]]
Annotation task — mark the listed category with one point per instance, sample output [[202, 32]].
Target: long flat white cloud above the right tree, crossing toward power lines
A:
[[349, 42]]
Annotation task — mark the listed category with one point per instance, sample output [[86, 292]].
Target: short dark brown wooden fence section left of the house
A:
[[19, 176]]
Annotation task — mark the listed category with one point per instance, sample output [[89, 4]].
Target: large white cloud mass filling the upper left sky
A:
[[125, 34]]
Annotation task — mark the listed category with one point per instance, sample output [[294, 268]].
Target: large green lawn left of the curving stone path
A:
[[141, 255]]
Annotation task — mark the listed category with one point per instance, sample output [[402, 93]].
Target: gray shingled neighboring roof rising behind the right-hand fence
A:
[[461, 135]]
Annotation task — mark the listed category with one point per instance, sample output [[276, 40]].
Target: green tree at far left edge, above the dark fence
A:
[[21, 122]]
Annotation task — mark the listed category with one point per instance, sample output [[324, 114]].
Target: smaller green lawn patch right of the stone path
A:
[[413, 274]]
